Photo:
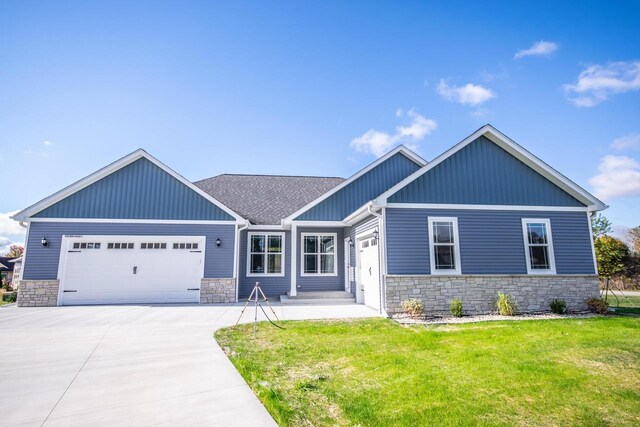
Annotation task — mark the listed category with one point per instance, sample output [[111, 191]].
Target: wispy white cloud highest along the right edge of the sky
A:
[[598, 82]]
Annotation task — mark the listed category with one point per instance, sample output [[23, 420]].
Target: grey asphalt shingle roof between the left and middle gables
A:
[[266, 199]]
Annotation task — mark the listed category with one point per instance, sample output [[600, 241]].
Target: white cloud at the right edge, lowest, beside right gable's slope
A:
[[618, 176]]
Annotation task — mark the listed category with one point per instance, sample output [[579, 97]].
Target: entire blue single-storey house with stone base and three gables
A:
[[486, 216]]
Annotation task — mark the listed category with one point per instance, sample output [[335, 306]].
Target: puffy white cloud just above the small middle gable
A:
[[378, 142]]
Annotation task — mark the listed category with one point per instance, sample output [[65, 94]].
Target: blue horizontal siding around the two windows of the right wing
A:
[[491, 241]]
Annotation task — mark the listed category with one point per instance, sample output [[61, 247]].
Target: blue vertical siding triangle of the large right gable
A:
[[483, 173]]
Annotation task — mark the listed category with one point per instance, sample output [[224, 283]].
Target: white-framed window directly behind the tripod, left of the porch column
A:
[[265, 254]]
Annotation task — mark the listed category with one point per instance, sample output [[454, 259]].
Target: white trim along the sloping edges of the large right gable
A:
[[510, 146]]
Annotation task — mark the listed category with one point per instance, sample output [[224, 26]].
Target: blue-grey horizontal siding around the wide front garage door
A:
[[42, 262]]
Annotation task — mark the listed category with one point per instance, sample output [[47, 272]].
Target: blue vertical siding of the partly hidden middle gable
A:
[[365, 188]]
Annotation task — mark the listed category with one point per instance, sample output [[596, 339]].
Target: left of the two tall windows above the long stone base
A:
[[444, 245]]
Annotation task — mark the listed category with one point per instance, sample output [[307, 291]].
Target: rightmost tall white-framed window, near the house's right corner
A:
[[538, 246]]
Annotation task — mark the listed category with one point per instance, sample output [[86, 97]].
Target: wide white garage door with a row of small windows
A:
[[131, 269]]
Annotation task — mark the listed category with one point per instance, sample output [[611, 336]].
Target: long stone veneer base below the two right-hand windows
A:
[[479, 293]]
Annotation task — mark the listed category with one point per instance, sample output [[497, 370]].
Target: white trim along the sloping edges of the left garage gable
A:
[[24, 214]]
